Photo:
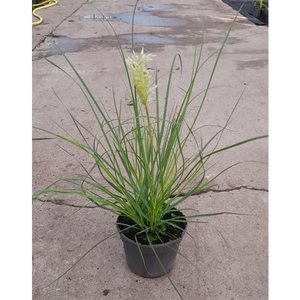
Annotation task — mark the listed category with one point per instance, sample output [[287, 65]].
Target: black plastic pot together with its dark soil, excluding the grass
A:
[[153, 260]]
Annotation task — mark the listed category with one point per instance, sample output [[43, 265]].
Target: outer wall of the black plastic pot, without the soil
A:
[[150, 261]]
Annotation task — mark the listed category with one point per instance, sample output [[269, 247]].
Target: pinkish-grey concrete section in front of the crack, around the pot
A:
[[229, 266]]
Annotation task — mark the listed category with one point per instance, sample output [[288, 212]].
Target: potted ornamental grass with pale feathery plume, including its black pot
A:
[[139, 169]]
